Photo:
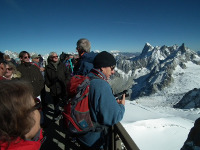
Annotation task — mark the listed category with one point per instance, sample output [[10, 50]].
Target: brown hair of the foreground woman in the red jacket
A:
[[15, 115]]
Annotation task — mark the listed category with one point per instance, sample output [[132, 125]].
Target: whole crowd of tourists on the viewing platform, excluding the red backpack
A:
[[22, 93]]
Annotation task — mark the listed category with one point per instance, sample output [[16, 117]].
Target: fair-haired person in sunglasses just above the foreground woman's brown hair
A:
[[11, 72]]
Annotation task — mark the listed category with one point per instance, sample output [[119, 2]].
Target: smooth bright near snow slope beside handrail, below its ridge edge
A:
[[158, 129]]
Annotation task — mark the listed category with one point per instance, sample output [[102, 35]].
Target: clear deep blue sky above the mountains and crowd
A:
[[43, 26]]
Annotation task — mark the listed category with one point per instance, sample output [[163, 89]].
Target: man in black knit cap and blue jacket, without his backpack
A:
[[105, 110]]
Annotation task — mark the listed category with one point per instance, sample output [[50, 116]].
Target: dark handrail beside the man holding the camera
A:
[[119, 136]]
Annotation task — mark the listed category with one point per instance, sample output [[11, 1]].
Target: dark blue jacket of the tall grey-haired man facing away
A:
[[84, 64]]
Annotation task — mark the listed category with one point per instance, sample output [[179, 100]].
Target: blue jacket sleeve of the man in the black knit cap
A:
[[106, 110]]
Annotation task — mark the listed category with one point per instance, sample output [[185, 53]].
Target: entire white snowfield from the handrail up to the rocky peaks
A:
[[153, 123]]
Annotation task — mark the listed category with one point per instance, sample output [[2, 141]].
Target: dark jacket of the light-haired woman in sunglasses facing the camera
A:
[[57, 79]]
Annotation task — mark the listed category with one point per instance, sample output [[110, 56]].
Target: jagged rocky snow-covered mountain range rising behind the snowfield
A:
[[153, 70]]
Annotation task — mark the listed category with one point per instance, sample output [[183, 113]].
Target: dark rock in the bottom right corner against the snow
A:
[[193, 140]]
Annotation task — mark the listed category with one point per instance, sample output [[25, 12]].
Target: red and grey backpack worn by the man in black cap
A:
[[76, 112]]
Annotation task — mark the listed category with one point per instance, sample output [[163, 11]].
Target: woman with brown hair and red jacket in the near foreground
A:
[[20, 119]]
